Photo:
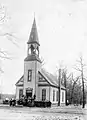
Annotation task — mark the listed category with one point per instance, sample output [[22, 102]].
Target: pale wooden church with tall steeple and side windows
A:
[[36, 80]]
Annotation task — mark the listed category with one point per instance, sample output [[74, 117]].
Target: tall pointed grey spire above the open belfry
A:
[[33, 34]]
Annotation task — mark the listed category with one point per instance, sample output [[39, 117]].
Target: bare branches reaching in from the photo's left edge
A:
[[4, 19]]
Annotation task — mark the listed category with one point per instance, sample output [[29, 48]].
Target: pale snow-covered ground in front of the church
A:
[[12, 113]]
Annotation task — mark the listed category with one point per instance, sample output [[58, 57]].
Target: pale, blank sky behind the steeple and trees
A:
[[62, 31]]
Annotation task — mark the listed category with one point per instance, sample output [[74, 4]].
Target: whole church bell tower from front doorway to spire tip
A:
[[32, 64]]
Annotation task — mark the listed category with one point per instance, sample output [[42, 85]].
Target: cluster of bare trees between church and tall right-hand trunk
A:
[[74, 92]]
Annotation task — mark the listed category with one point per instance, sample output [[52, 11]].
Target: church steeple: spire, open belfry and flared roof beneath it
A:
[[33, 44]]
